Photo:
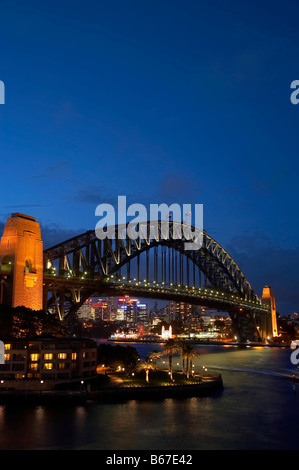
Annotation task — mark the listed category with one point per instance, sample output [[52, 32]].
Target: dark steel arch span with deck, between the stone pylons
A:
[[85, 265]]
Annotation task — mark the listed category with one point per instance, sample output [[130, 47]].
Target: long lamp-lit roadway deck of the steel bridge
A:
[[248, 316]]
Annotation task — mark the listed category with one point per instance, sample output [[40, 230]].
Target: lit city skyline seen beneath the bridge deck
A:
[[136, 318]]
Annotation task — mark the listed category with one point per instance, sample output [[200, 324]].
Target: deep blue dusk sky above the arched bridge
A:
[[161, 101]]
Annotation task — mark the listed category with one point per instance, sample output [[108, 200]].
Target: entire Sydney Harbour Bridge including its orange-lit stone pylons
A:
[[149, 266]]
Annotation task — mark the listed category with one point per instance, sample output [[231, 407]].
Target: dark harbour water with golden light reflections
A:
[[257, 410]]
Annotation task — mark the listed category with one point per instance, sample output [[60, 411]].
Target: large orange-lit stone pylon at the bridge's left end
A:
[[21, 258]]
